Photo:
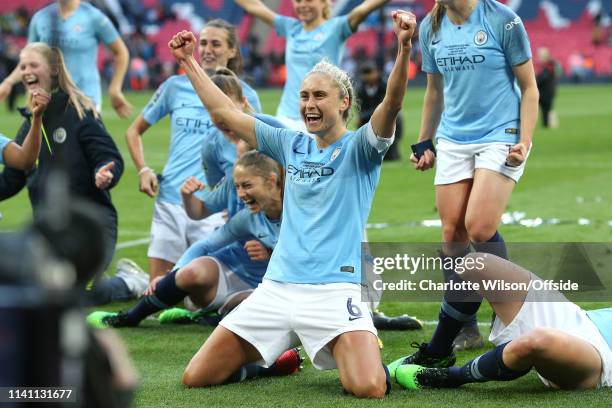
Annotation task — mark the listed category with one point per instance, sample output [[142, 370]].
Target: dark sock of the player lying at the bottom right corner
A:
[[486, 367]]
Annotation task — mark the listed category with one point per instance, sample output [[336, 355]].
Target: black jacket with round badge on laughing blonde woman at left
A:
[[80, 146]]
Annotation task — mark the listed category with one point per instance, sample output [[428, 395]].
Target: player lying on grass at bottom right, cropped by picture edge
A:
[[568, 347]]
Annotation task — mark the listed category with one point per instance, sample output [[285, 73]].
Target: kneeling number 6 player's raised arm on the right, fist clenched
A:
[[383, 119]]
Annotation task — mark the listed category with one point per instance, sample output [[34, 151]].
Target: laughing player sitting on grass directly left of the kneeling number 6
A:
[[208, 271]]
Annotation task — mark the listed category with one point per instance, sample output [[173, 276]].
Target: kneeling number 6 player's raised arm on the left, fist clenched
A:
[[220, 107]]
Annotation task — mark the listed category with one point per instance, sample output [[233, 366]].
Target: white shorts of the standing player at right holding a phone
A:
[[456, 162]]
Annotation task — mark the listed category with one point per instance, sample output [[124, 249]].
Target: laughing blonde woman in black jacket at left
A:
[[74, 138]]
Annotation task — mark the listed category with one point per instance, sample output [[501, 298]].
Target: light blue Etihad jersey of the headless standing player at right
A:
[[481, 96]]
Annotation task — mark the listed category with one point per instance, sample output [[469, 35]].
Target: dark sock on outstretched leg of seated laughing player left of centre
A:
[[167, 294]]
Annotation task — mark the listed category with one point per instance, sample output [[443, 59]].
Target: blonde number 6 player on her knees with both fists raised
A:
[[311, 290]]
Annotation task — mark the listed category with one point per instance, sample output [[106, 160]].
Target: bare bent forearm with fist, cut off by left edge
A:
[[24, 157]]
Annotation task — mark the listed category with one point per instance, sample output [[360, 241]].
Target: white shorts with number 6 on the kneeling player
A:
[[278, 316]]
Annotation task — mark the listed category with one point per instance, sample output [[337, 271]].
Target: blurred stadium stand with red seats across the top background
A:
[[576, 31]]
